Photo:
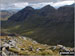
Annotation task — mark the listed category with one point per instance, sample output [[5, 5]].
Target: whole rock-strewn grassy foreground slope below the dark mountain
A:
[[20, 45]]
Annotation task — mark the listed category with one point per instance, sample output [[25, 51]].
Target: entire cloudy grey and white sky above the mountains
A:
[[19, 4]]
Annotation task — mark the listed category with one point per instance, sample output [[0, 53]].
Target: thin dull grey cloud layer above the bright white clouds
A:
[[31, 1]]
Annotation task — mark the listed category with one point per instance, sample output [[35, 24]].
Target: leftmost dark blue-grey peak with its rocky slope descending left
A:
[[22, 15]]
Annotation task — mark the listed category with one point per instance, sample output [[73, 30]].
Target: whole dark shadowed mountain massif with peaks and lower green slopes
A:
[[46, 25]]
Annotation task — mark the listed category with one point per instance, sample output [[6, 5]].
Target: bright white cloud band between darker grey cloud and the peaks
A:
[[21, 5]]
